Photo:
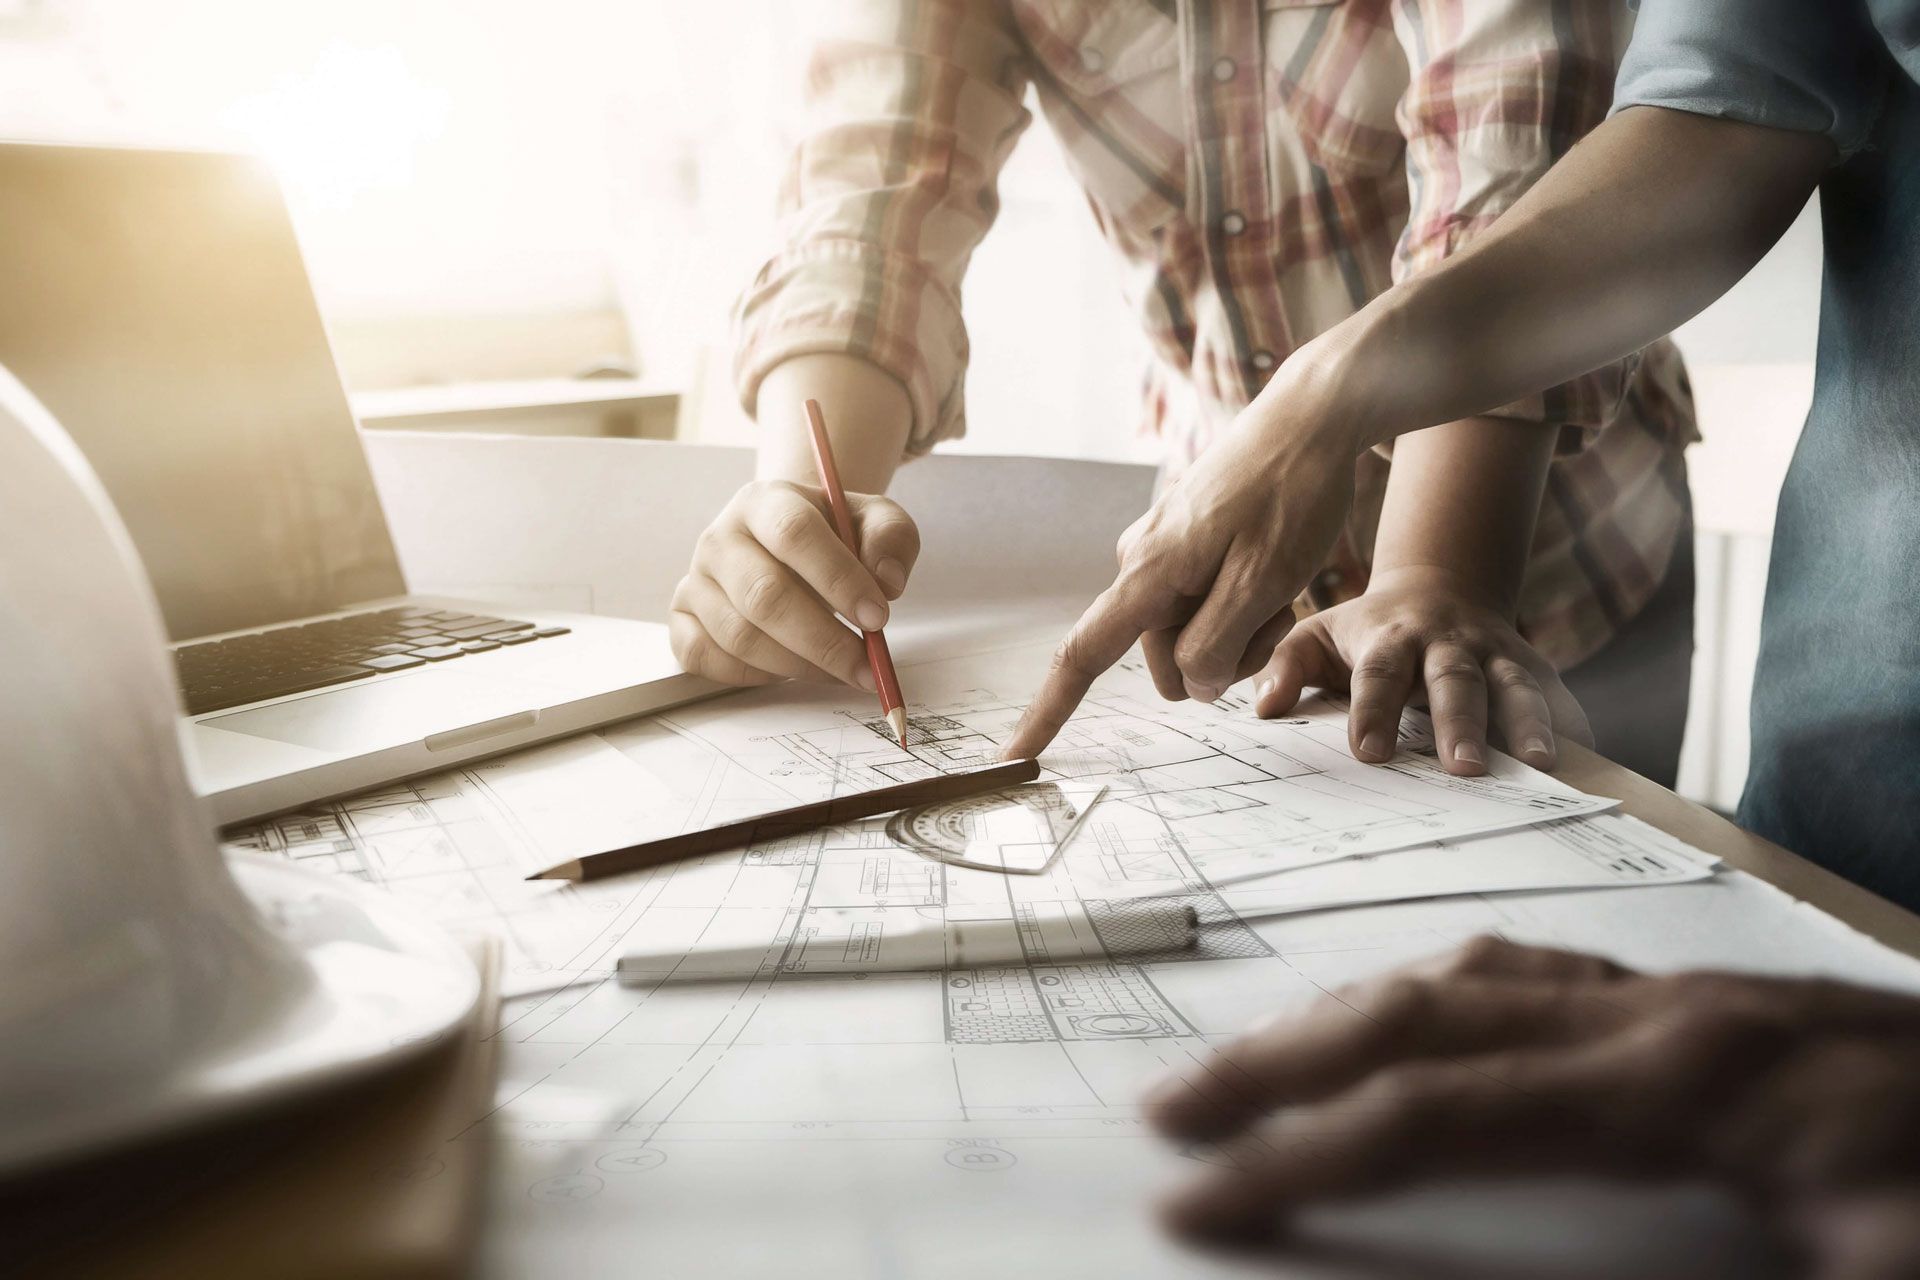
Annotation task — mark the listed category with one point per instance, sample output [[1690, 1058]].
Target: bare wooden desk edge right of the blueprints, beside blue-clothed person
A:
[[1744, 851]]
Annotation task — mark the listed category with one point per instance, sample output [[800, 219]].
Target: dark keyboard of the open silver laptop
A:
[[270, 665]]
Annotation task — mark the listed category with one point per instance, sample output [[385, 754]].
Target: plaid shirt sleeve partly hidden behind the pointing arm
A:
[[1495, 99]]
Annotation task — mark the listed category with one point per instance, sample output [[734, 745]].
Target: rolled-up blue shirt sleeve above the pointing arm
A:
[[1788, 64]]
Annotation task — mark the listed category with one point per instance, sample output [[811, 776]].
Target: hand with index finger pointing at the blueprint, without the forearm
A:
[[1209, 577]]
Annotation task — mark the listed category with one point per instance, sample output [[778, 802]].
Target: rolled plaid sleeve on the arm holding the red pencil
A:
[[913, 108]]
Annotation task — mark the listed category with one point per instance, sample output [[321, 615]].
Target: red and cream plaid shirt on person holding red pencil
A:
[[1262, 170]]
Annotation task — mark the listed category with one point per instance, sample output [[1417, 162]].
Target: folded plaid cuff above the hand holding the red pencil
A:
[[853, 298]]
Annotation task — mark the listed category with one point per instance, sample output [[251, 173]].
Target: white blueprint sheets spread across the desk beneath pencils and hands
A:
[[942, 1124]]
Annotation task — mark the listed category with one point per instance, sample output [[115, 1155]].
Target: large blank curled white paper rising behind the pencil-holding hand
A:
[[610, 527]]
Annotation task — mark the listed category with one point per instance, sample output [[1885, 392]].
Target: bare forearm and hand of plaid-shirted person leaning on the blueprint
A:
[[1439, 609]]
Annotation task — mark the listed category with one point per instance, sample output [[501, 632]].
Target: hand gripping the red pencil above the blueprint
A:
[[771, 573]]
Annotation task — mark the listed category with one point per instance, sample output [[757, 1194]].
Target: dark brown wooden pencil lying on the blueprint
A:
[[794, 820]]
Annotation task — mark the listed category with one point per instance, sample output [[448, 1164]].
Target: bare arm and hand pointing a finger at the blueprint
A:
[[1637, 229]]
